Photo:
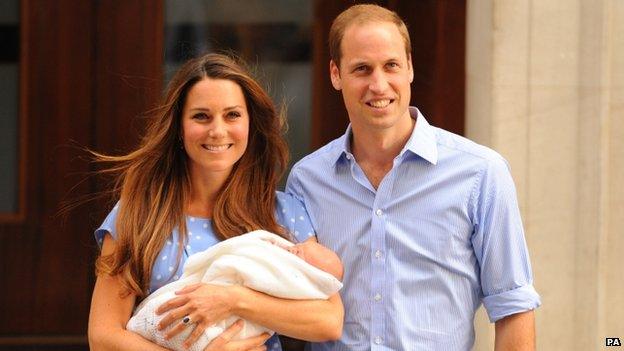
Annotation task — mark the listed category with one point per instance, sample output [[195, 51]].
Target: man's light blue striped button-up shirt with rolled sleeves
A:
[[441, 235]]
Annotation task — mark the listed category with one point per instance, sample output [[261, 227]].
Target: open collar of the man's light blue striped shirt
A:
[[422, 142]]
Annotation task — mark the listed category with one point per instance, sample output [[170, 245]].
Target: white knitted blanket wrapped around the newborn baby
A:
[[257, 260]]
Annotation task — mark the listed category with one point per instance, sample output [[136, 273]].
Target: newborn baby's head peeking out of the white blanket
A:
[[319, 256]]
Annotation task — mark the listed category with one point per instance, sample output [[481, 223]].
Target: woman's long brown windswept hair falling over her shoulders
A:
[[153, 181]]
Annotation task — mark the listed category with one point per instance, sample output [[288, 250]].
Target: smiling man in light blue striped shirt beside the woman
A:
[[426, 222]]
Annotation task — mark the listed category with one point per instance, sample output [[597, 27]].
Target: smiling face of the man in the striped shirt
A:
[[374, 75]]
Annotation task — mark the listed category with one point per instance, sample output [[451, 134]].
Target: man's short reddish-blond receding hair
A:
[[360, 14]]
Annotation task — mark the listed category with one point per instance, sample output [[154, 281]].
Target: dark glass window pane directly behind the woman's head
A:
[[274, 36]]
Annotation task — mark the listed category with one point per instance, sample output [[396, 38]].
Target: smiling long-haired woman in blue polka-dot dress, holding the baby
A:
[[206, 170]]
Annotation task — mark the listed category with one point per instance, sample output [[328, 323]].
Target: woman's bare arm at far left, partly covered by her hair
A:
[[110, 312]]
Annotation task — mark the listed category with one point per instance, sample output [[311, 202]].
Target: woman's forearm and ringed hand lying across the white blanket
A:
[[206, 304]]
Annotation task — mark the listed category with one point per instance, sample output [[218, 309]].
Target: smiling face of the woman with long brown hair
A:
[[215, 126]]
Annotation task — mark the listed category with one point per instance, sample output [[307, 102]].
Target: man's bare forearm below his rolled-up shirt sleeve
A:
[[516, 332]]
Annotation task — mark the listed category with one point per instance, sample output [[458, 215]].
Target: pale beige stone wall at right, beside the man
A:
[[545, 88]]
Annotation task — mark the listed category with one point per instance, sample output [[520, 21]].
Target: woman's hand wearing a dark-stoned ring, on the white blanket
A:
[[203, 304]]
